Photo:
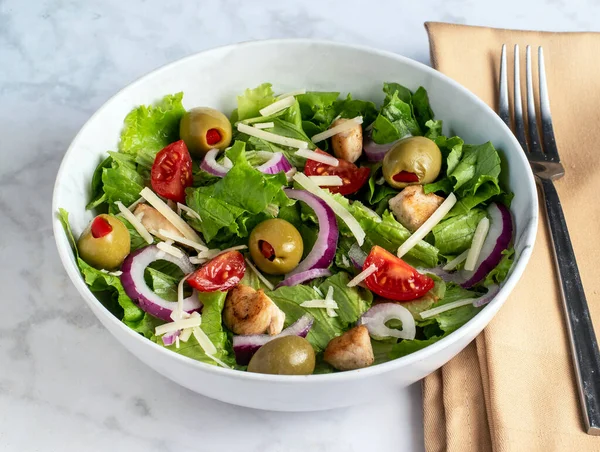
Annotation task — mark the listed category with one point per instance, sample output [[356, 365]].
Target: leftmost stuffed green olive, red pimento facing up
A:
[[105, 242]]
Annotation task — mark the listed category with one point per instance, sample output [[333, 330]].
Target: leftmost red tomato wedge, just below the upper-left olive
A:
[[172, 172]]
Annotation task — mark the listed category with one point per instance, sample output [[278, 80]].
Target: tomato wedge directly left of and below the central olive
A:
[[220, 273]]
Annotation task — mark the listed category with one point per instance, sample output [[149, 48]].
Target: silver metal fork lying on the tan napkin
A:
[[546, 166]]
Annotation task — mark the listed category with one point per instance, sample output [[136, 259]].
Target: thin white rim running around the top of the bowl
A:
[[528, 234]]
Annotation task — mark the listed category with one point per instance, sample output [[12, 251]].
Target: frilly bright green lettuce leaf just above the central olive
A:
[[235, 204]]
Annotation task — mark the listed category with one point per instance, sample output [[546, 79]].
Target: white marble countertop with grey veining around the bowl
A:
[[65, 383]]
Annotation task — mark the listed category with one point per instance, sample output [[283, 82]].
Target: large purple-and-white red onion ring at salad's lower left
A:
[[136, 288]]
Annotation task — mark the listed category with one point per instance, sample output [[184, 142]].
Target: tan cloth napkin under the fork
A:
[[513, 389]]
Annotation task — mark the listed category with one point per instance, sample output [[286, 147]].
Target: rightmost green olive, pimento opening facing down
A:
[[414, 160]]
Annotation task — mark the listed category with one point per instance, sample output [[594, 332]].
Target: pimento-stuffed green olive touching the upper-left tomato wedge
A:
[[204, 129]]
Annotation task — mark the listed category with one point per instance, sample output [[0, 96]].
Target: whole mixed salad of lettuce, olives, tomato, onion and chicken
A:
[[305, 232]]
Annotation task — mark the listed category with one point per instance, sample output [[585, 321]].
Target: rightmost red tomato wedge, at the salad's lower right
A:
[[394, 278]]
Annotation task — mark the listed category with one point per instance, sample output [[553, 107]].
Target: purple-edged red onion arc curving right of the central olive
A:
[[322, 254]]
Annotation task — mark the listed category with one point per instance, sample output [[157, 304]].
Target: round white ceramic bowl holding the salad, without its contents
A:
[[214, 78]]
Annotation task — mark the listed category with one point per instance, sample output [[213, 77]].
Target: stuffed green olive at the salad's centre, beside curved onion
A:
[[276, 246]]
